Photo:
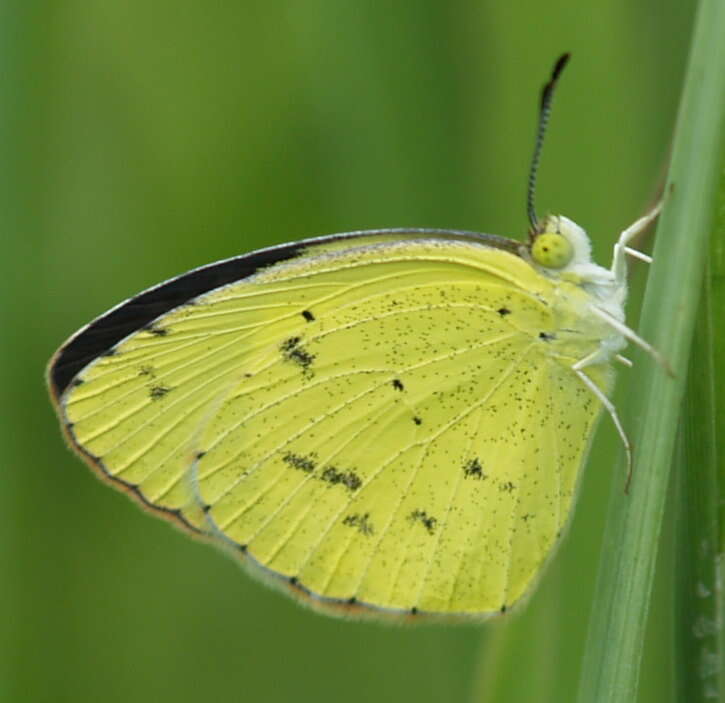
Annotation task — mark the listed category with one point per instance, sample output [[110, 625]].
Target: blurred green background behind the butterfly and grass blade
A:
[[141, 139]]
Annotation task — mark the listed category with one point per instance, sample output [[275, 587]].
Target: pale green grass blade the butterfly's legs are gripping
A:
[[614, 647]]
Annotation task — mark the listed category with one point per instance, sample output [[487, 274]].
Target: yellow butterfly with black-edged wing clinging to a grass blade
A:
[[386, 422]]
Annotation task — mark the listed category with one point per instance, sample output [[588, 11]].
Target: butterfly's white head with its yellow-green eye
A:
[[559, 245]]
